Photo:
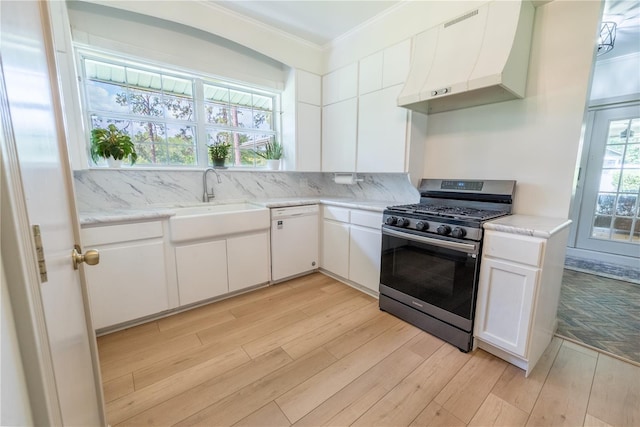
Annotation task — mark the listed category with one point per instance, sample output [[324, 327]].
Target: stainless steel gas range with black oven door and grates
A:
[[431, 254]]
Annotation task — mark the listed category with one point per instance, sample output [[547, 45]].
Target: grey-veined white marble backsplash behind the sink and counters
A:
[[99, 189]]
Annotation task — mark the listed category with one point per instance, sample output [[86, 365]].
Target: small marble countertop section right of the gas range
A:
[[528, 225]]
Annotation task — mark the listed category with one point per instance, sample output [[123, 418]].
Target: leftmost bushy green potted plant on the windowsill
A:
[[112, 144]]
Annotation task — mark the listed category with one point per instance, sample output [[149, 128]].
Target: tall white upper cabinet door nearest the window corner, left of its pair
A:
[[339, 131]]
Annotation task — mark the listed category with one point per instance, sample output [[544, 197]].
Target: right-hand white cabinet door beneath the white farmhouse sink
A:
[[248, 260]]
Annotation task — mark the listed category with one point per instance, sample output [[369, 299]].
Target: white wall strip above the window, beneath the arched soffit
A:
[[166, 42]]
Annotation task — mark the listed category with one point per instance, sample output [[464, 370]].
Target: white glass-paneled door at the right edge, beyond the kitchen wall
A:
[[609, 217]]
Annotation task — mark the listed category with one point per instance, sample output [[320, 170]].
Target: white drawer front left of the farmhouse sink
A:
[[121, 233]]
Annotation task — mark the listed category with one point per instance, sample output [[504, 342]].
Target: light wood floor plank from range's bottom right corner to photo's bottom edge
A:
[[407, 400]]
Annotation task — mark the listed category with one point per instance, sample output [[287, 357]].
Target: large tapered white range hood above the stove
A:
[[478, 58]]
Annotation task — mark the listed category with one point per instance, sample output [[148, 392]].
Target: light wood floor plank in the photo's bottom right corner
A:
[[615, 394]]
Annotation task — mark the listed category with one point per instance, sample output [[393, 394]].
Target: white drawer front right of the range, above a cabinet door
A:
[[520, 249]]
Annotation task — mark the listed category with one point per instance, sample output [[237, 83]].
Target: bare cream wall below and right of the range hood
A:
[[534, 141]]
